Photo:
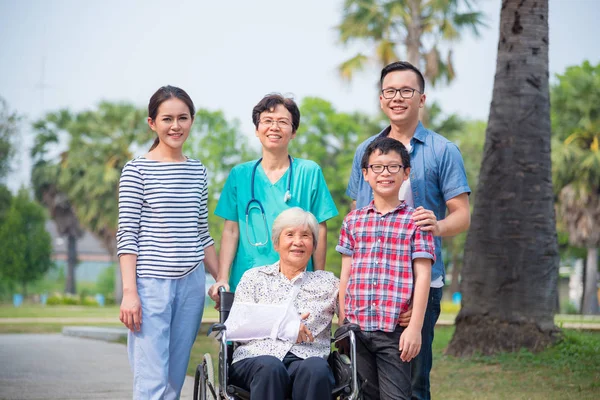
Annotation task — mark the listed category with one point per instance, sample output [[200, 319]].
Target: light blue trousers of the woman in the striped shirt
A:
[[160, 352]]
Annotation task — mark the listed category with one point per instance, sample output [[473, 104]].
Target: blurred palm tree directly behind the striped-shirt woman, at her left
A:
[[99, 144]]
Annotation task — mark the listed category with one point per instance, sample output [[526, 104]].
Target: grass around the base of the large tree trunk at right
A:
[[569, 370]]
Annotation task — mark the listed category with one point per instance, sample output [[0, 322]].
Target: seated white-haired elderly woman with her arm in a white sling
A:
[[282, 313]]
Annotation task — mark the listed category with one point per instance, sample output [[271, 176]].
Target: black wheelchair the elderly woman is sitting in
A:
[[347, 385]]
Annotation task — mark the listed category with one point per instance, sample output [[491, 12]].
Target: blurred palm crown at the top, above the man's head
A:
[[419, 31]]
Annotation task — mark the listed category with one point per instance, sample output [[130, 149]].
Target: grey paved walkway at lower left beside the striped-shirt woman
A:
[[53, 367]]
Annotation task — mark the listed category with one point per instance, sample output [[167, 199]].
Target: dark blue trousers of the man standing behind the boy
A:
[[421, 365]]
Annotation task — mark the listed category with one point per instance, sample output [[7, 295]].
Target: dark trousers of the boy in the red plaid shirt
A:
[[385, 376]]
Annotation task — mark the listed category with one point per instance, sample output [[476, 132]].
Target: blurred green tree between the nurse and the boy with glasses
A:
[[330, 138]]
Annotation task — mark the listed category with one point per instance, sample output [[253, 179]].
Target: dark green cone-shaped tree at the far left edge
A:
[[25, 245]]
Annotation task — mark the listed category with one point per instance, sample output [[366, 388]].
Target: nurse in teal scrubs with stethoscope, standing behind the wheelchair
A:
[[257, 191]]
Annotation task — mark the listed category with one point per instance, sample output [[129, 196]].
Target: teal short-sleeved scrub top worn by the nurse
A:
[[309, 192]]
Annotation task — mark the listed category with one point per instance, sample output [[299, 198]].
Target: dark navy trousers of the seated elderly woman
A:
[[267, 378]]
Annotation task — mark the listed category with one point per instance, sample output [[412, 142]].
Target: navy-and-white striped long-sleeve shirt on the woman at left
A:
[[163, 216]]
